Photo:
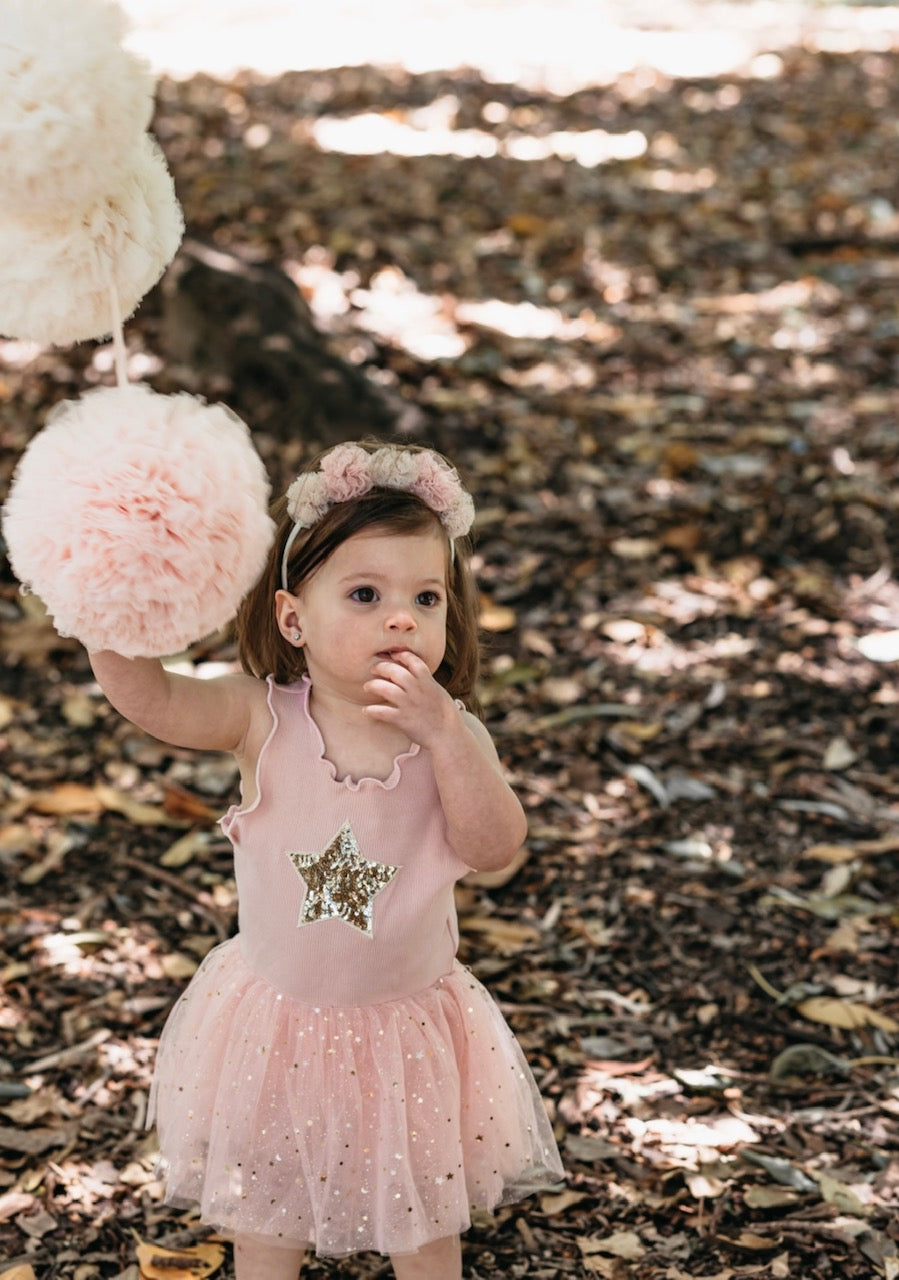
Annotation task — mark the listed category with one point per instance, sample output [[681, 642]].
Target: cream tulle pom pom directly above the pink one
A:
[[56, 271]]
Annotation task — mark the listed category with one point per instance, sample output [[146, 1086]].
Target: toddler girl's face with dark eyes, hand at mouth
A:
[[378, 593]]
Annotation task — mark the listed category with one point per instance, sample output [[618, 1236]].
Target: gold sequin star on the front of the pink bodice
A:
[[341, 884]]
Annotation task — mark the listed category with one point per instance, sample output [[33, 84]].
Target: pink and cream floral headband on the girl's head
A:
[[349, 472]]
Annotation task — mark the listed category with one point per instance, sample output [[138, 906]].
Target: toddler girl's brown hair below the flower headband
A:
[[264, 651]]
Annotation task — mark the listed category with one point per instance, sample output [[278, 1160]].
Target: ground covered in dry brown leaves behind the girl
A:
[[655, 323]]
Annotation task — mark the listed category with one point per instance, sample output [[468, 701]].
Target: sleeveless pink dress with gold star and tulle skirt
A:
[[334, 1077]]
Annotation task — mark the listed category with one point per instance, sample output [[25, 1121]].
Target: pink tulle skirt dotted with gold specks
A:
[[344, 1130]]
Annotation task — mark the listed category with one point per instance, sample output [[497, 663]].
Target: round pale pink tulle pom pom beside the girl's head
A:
[[139, 519]]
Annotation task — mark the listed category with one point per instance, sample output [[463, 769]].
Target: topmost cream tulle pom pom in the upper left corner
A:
[[72, 103]]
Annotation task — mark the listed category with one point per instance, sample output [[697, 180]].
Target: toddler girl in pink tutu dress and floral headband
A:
[[334, 1080]]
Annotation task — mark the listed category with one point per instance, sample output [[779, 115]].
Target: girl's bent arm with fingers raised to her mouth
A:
[[486, 822]]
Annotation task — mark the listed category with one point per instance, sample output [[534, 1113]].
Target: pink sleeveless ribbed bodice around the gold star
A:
[[300, 810]]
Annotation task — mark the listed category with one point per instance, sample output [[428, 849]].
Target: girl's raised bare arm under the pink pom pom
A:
[[226, 715]]
